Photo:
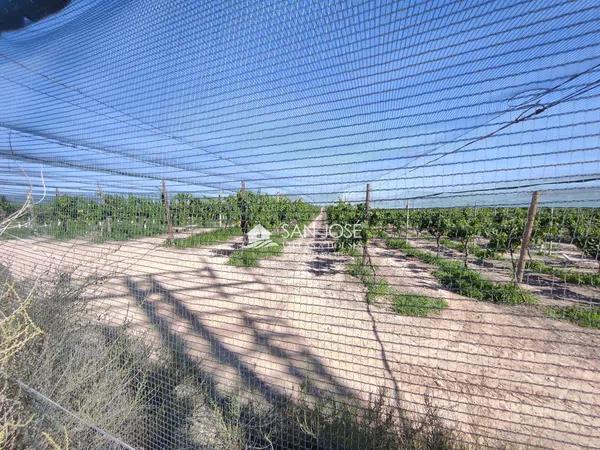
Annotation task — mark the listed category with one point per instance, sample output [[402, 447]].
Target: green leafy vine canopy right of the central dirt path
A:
[[497, 230]]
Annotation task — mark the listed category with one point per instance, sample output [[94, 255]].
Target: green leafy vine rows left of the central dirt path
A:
[[111, 217]]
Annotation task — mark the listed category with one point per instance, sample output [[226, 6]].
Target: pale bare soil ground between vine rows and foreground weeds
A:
[[495, 372]]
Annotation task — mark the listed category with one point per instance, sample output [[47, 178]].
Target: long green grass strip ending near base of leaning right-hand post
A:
[[458, 278]]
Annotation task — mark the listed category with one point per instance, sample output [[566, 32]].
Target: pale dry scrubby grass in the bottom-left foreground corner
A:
[[96, 371]]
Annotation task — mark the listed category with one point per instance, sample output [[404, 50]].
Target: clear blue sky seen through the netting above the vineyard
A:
[[432, 103]]
